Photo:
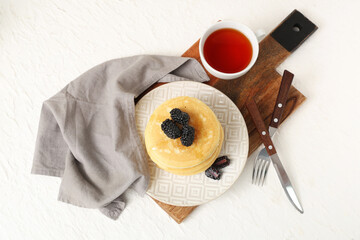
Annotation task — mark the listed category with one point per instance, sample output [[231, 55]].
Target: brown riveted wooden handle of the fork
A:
[[281, 98]]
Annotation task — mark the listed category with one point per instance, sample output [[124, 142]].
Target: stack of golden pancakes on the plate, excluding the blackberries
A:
[[170, 154]]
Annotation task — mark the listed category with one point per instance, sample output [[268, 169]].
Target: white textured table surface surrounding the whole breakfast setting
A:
[[46, 44]]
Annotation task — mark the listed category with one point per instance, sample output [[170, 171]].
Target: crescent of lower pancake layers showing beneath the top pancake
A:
[[198, 168]]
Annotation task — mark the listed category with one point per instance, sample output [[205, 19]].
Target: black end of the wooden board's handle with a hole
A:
[[293, 31]]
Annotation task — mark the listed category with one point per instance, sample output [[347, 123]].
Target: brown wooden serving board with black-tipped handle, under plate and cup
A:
[[261, 82]]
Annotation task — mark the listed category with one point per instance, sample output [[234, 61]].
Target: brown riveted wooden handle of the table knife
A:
[[260, 126]]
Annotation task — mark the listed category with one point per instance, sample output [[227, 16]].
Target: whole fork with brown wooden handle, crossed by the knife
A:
[[262, 161]]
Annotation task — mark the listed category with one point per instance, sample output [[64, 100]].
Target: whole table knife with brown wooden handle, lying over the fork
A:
[[270, 148]]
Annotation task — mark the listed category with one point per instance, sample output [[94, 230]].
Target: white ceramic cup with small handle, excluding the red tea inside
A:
[[254, 40]]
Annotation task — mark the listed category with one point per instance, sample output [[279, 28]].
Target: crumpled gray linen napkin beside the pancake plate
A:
[[87, 133]]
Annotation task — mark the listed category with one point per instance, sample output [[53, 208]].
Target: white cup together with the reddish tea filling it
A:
[[229, 49]]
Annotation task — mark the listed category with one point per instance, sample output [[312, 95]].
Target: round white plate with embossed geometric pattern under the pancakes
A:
[[196, 189]]
